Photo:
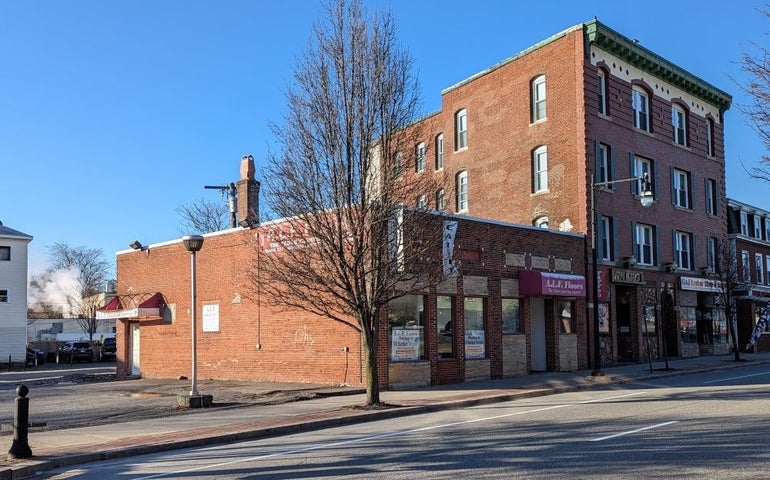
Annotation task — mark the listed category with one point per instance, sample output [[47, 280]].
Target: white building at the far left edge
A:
[[13, 294]]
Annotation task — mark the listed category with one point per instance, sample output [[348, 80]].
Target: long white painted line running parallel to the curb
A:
[[378, 437]]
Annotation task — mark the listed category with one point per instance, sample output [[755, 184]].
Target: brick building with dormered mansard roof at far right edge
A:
[[749, 245]]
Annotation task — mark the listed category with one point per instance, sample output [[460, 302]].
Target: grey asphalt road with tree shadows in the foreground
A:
[[706, 426]]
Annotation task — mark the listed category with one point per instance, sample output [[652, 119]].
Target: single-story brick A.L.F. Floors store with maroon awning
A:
[[516, 305]]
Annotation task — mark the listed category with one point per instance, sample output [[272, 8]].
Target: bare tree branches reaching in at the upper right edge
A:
[[756, 65]]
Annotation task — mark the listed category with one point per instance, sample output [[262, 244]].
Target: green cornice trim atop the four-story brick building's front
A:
[[622, 47]]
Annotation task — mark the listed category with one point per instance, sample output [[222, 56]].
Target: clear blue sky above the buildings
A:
[[114, 113]]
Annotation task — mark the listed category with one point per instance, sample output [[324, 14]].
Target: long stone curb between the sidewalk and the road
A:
[[347, 417]]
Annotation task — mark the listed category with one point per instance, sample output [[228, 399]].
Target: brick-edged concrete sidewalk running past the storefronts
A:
[[58, 448]]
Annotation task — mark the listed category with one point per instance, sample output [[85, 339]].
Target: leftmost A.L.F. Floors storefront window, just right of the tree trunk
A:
[[406, 320]]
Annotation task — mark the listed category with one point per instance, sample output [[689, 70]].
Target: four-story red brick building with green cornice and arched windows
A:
[[528, 140]]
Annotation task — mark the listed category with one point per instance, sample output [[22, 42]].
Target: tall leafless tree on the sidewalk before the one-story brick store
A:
[[341, 178]]
